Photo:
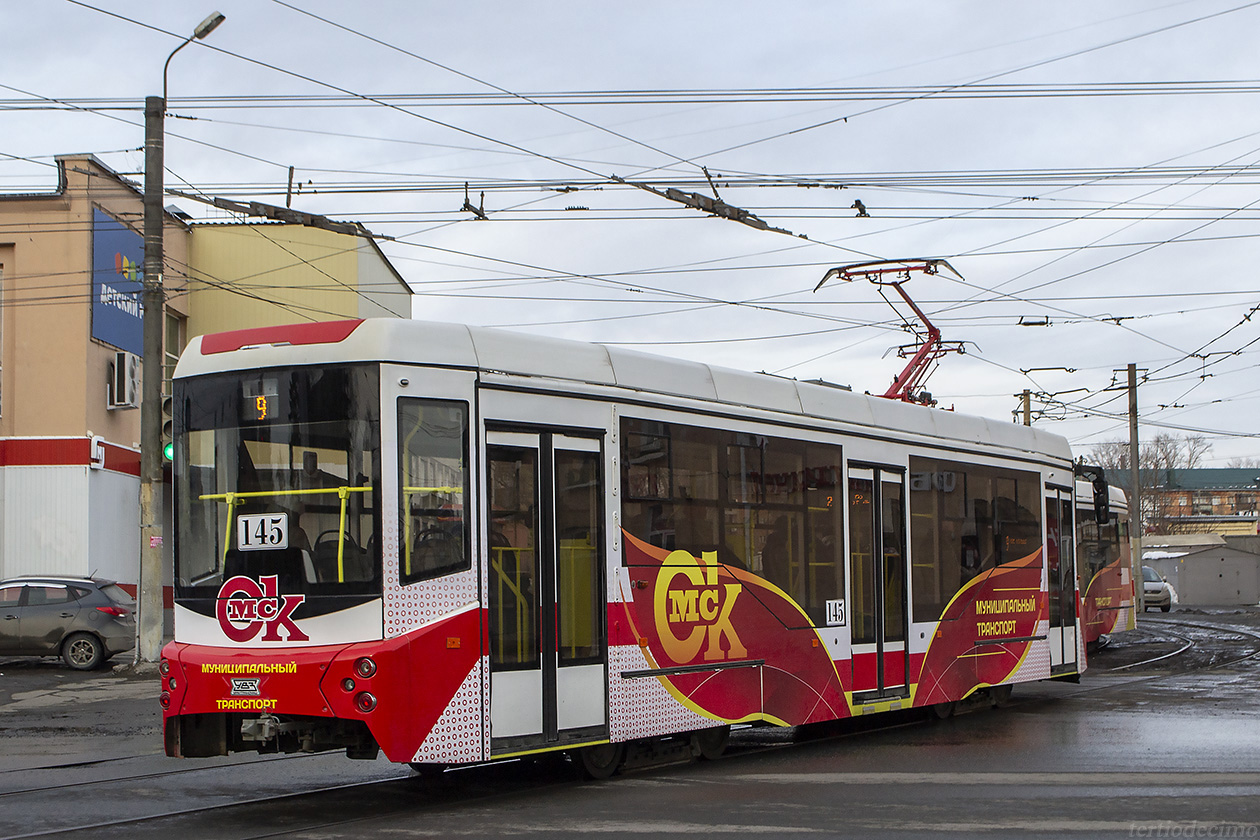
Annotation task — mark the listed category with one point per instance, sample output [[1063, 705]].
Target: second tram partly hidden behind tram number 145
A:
[[1104, 566]]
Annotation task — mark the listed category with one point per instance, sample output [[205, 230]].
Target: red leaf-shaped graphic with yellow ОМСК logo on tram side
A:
[[690, 610]]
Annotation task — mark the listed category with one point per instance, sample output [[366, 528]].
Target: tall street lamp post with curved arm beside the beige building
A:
[[149, 595]]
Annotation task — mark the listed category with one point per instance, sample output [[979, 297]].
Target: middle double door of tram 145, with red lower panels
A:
[[878, 582]]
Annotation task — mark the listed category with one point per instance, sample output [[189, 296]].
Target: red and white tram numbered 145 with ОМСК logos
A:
[[455, 545]]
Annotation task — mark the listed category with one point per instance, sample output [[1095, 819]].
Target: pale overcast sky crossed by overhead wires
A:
[[1091, 167]]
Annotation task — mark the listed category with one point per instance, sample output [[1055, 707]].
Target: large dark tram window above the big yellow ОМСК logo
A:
[[768, 506]]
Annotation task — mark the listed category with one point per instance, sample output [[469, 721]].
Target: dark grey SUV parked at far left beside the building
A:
[[83, 620]]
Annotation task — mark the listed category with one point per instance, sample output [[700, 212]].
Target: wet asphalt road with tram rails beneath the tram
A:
[[1162, 750]]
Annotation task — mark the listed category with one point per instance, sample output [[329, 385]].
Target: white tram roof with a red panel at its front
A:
[[517, 355]]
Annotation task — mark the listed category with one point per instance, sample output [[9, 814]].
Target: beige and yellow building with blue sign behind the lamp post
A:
[[71, 344]]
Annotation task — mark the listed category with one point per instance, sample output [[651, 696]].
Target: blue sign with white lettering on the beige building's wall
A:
[[118, 281]]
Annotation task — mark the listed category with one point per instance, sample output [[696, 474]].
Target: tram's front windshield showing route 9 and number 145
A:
[[279, 473]]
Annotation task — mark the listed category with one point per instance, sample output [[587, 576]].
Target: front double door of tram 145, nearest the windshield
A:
[[546, 600]]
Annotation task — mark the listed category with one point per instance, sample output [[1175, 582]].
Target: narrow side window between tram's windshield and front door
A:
[[433, 443]]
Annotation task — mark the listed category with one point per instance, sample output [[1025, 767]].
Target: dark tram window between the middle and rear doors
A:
[[966, 519]]
